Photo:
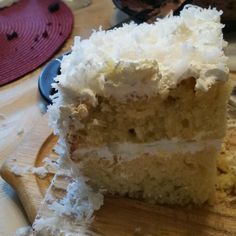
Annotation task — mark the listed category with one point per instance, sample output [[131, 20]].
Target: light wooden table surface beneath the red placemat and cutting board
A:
[[21, 107]]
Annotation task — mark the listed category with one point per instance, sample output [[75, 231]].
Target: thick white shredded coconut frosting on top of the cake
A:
[[142, 60]]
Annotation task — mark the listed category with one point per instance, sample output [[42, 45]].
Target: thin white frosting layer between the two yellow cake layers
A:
[[130, 151]]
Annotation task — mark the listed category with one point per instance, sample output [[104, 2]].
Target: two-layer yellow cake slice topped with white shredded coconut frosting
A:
[[142, 108]]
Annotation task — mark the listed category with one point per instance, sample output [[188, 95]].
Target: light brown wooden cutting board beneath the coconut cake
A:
[[119, 216]]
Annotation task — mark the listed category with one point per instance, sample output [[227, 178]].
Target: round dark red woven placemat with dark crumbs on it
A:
[[31, 31]]
